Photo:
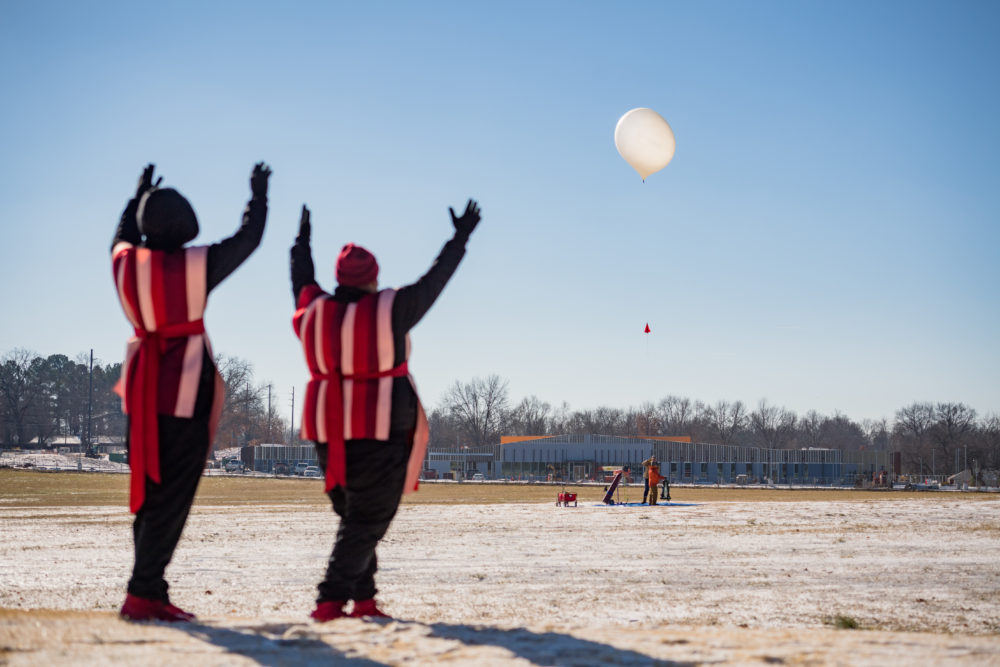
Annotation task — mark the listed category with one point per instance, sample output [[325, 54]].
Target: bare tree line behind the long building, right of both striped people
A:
[[940, 438]]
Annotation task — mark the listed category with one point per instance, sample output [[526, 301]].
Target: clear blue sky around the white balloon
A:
[[826, 237]]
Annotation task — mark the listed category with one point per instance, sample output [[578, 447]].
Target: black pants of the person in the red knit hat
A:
[[376, 471]]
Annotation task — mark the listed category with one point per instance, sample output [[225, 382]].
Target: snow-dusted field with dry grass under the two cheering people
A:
[[716, 582]]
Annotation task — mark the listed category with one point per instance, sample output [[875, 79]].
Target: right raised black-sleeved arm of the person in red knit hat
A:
[[414, 300]]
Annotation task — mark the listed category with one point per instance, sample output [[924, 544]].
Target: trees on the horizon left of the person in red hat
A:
[[44, 399]]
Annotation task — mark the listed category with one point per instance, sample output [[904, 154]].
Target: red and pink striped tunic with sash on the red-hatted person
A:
[[350, 351]]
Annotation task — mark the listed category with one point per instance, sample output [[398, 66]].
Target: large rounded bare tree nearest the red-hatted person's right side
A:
[[479, 408]]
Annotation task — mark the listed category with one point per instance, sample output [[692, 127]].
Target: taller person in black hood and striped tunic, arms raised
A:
[[170, 388]]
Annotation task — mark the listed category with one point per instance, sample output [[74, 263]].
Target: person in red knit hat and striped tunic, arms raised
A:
[[361, 408]]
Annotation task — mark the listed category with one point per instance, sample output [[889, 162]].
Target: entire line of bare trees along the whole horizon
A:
[[45, 398]]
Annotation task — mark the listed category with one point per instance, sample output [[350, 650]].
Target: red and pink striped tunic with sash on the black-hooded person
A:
[[163, 295]]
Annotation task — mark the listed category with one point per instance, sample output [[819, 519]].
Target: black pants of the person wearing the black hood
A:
[[159, 522]]
